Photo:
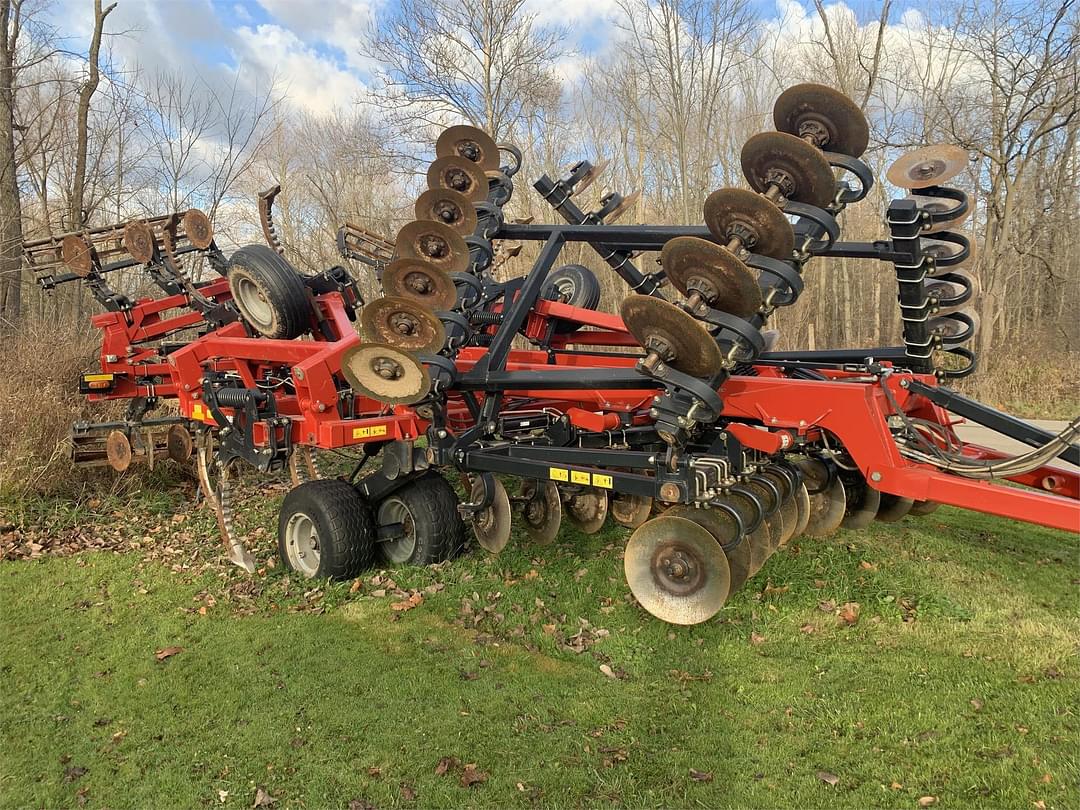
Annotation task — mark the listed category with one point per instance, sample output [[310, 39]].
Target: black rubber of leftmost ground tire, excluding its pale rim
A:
[[344, 522]]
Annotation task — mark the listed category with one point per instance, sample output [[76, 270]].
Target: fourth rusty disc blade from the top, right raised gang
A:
[[698, 266]]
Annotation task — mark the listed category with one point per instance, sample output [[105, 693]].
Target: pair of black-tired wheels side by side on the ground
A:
[[328, 531]]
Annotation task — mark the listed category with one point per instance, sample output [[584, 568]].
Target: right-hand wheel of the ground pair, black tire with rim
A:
[[434, 530]]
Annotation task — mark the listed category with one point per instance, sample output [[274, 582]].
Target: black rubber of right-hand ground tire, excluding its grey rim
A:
[[438, 526]]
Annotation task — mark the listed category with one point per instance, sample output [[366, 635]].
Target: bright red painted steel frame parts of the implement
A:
[[847, 408]]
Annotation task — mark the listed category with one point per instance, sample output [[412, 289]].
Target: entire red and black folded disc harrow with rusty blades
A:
[[678, 418]]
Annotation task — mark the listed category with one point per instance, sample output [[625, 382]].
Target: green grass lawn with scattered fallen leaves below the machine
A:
[[960, 681]]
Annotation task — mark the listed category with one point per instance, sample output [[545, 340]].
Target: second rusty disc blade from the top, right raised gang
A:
[[801, 171]]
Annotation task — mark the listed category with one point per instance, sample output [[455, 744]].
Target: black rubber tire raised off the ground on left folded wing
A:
[[281, 286]]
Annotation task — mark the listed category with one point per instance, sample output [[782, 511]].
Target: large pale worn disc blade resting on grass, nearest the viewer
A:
[[677, 571]]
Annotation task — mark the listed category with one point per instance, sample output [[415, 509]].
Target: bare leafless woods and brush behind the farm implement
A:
[[90, 136]]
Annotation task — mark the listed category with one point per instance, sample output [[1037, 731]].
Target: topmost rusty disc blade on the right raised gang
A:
[[832, 119]]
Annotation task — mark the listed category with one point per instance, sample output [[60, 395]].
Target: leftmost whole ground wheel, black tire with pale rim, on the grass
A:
[[326, 531]]
